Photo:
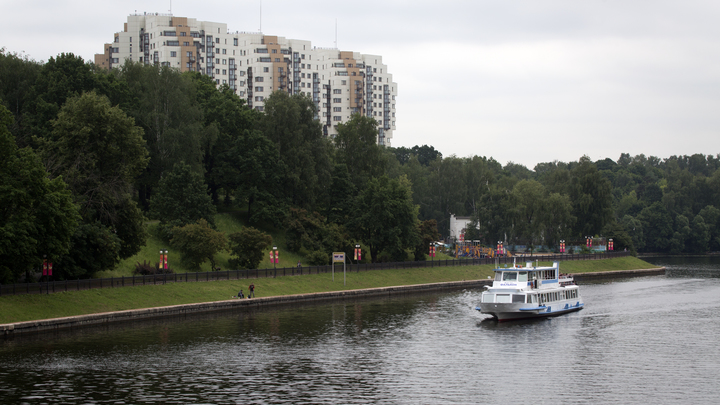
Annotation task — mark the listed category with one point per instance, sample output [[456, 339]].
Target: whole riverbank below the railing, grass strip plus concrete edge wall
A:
[[61, 310]]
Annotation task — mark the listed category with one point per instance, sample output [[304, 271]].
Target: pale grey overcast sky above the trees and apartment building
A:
[[522, 81]]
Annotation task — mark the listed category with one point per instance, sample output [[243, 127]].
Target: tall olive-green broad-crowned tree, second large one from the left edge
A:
[[100, 151]]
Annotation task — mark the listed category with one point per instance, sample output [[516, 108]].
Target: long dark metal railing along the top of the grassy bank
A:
[[115, 282]]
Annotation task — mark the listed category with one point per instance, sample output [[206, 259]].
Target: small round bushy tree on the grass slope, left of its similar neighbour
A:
[[198, 242]]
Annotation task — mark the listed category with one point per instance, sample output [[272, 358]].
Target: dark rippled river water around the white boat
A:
[[638, 341]]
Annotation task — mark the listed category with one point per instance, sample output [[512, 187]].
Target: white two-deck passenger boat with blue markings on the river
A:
[[530, 292]]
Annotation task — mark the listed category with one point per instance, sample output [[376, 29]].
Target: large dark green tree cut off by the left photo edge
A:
[[37, 215]]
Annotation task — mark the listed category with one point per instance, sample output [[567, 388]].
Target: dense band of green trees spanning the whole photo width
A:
[[88, 155]]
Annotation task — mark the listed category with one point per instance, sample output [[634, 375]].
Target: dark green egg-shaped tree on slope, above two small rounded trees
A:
[[181, 199]]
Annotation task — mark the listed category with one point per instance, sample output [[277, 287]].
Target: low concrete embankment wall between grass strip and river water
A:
[[255, 303]]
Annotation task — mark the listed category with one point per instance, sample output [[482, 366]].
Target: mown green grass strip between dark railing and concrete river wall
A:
[[33, 307]]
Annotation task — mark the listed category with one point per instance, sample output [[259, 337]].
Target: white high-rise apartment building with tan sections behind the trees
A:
[[254, 65]]
